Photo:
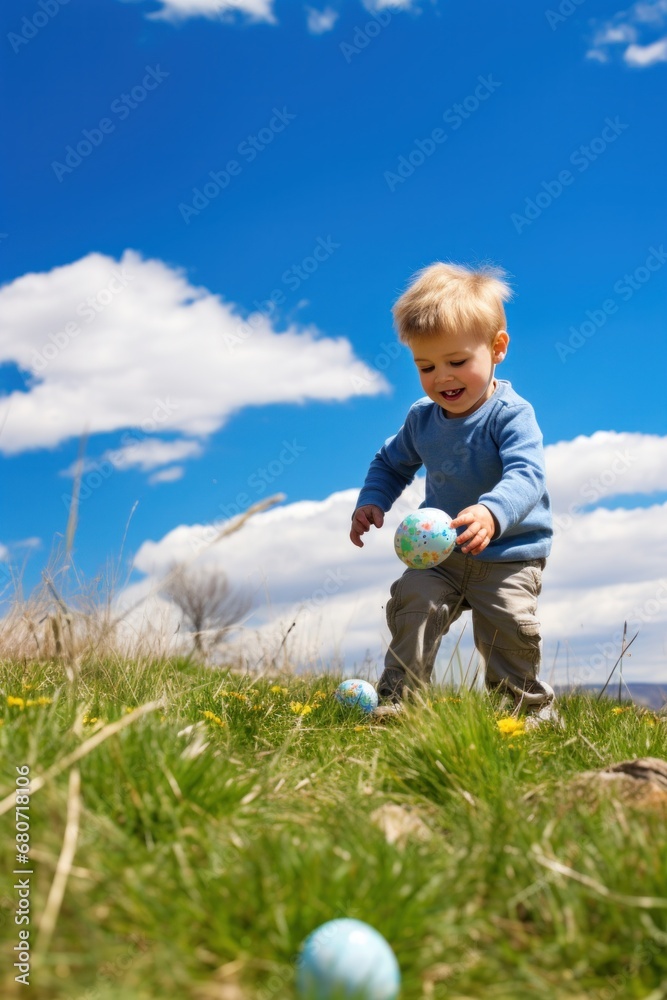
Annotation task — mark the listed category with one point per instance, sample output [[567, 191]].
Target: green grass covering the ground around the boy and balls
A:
[[203, 860]]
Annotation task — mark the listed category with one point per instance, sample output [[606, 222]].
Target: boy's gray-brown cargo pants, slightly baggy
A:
[[502, 596]]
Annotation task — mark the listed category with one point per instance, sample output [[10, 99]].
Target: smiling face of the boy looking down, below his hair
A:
[[456, 372]]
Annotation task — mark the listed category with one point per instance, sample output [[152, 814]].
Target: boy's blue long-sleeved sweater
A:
[[493, 457]]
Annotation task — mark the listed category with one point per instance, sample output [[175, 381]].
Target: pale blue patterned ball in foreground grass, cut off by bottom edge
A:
[[347, 958]]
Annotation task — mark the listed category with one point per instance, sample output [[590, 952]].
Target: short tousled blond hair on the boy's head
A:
[[451, 299]]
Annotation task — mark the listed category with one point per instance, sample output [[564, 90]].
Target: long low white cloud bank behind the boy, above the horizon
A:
[[606, 567]]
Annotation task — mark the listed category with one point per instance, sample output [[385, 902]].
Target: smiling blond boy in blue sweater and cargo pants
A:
[[482, 451]]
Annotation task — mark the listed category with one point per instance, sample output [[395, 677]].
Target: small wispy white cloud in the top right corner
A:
[[625, 28]]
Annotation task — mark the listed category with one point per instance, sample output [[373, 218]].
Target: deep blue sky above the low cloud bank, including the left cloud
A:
[[338, 112]]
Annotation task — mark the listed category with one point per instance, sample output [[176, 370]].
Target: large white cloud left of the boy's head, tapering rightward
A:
[[132, 344]]
